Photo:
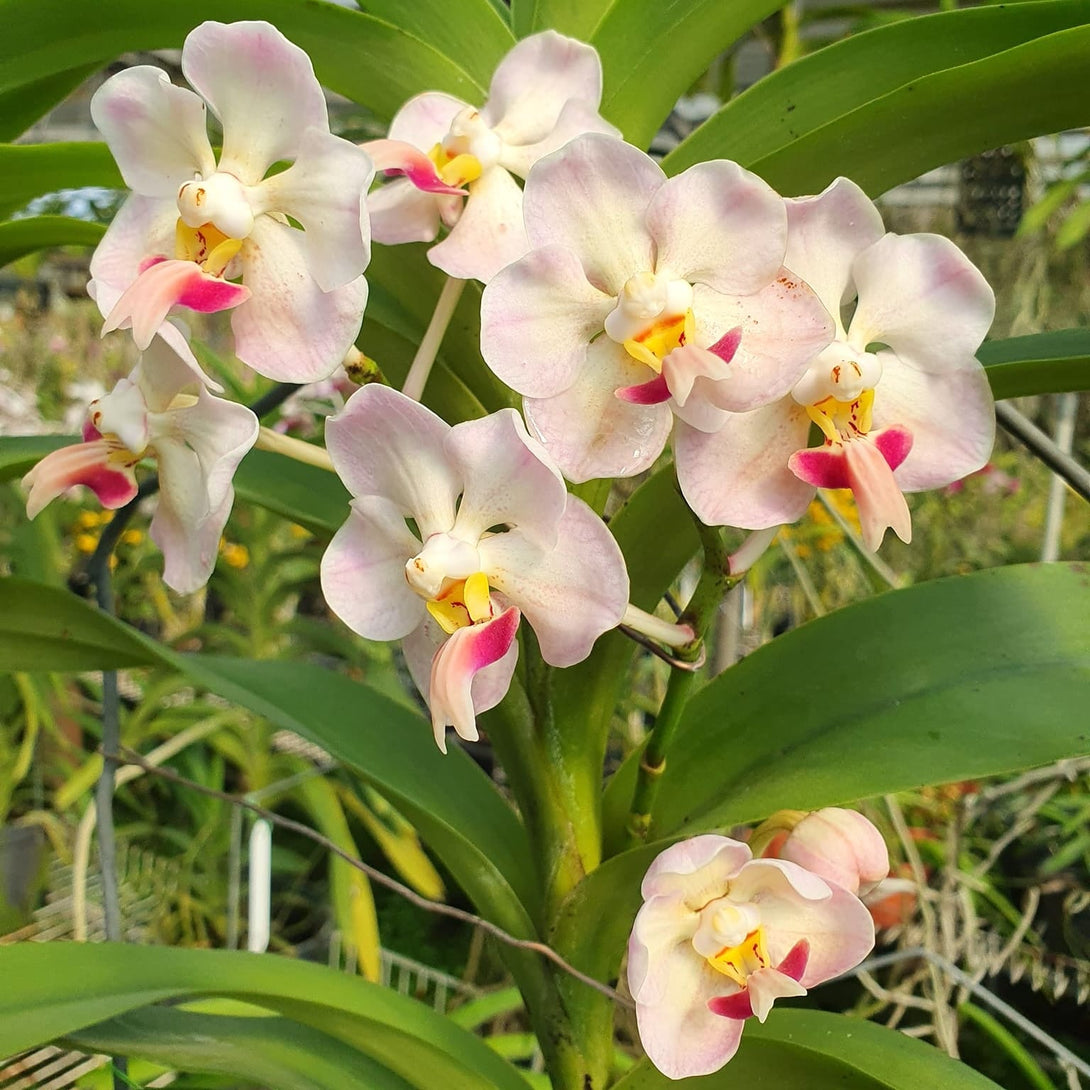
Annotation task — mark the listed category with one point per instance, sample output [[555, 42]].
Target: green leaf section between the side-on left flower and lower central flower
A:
[[313, 498]]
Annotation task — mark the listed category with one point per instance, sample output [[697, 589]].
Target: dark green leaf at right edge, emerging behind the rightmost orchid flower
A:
[[1041, 364]]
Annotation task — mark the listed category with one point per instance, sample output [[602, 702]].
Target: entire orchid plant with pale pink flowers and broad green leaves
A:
[[680, 322]]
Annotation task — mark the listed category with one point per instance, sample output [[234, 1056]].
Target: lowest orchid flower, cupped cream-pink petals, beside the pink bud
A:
[[721, 937]]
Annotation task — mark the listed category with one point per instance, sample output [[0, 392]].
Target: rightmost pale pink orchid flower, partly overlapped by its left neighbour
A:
[[901, 399]]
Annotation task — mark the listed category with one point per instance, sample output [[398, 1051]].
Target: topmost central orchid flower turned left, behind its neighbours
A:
[[458, 161]]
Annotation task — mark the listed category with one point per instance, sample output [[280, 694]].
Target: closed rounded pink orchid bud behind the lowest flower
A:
[[841, 846]]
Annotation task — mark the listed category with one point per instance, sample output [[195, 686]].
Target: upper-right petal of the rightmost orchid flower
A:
[[921, 296]]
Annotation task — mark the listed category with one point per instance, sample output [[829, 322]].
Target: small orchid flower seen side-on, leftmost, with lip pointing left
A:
[[163, 410]]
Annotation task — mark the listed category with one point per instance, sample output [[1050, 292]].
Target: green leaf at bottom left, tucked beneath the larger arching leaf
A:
[[273, 1052]]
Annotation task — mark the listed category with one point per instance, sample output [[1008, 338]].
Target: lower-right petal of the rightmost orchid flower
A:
[[951, 418]]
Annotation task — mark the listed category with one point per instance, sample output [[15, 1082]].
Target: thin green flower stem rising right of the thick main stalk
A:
[[714, 583]]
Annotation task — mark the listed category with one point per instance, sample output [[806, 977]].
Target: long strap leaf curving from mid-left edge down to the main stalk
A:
[[456, 808]]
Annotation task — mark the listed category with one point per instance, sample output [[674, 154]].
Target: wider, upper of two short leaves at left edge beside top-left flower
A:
[[31, 171]]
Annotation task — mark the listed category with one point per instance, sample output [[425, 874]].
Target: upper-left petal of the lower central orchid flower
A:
[[384, 444]]
